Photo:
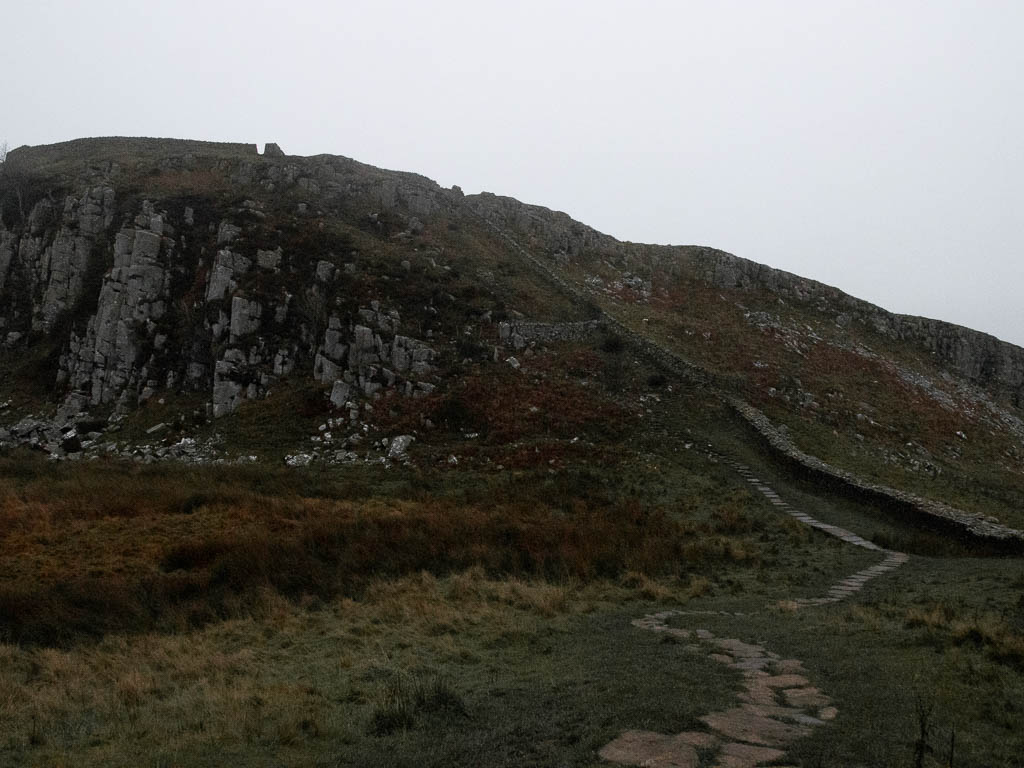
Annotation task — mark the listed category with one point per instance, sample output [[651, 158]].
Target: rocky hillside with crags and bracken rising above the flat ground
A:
[[204, 302]]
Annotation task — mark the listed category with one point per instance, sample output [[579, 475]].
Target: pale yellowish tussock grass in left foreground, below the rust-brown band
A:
[[318, 680]]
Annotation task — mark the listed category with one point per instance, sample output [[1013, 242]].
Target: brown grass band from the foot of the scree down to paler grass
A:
[[178, 547]]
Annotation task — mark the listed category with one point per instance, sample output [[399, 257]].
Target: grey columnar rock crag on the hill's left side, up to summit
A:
[[142, 297]]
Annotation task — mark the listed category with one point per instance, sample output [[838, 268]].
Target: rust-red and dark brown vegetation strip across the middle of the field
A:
[[96, 565]]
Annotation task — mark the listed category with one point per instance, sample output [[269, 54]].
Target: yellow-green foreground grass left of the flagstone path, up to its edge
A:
[[504, 671]]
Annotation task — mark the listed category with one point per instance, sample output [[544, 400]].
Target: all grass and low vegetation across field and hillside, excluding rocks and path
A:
[[480, 613]]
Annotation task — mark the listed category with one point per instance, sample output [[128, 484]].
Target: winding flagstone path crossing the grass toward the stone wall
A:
[[779, 704]]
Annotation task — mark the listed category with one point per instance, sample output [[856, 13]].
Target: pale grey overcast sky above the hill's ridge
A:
[[878, 147]]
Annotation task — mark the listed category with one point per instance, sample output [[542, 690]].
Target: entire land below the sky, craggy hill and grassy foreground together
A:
[[395, 461]]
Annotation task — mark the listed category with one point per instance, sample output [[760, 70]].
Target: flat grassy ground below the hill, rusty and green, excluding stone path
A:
[[136, 636]]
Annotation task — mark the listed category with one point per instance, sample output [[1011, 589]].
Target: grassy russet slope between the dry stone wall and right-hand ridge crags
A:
[[914, 444]]
